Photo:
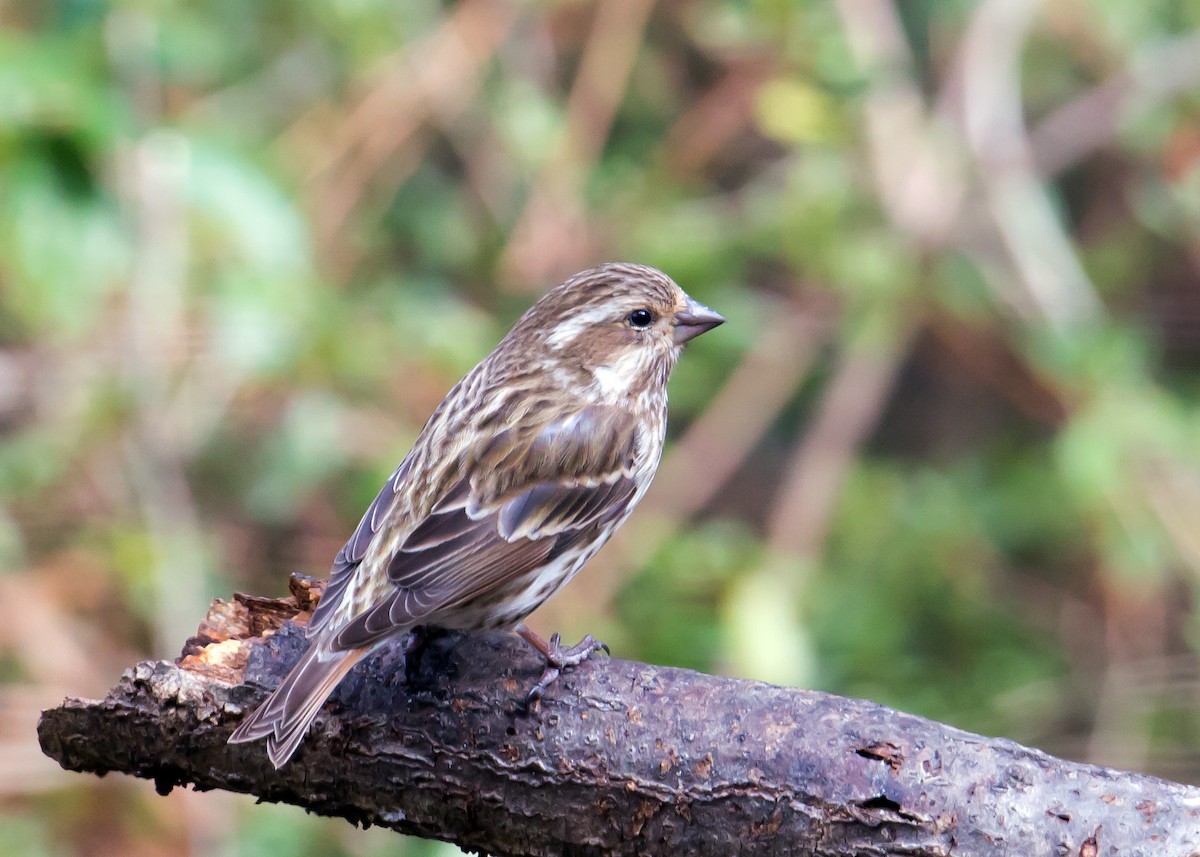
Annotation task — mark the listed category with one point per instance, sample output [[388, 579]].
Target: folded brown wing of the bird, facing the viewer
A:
[[519, 507]]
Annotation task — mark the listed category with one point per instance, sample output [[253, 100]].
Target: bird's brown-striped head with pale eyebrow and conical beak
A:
[[617, 328]]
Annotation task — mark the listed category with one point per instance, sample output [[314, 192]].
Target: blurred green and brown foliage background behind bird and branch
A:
[[946, 454]]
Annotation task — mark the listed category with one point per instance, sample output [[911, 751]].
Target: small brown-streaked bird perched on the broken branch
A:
[[521, 475]]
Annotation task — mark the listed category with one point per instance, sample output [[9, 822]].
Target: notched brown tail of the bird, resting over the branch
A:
[[291, 709]]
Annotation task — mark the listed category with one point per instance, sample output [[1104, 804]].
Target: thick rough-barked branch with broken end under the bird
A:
[[620, 758]]
